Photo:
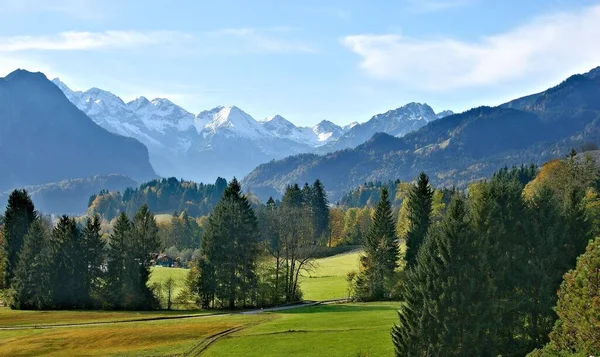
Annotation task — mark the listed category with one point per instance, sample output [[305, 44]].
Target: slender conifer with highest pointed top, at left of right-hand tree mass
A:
[[419, 217]]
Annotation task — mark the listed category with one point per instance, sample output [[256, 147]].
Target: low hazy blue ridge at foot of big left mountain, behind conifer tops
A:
[[71, 196]]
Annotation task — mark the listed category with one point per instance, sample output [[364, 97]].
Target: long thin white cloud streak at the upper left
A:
[[74, 40]]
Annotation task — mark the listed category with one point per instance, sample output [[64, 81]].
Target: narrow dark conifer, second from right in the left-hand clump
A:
[[117, 258]]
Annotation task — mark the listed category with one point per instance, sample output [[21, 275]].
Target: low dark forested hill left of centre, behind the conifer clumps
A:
[[162, 196]]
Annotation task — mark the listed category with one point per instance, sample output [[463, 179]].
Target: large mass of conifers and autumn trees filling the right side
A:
[[480, 278]]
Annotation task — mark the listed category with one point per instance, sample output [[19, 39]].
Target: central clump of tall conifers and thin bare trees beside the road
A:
[[254, 258]]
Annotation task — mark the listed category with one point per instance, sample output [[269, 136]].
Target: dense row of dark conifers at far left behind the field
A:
[[68, 266]]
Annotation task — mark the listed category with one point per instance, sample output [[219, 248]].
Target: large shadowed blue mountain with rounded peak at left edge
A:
[[45, 138]]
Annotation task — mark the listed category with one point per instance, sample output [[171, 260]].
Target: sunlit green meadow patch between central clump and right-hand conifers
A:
[[327, 280]]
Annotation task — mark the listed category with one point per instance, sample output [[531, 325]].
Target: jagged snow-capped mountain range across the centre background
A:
[[226, 141]]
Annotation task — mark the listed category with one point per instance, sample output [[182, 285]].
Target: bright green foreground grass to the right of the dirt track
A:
[[330, 330]]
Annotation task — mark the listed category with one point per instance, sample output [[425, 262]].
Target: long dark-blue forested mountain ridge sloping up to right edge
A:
[[456, 149]]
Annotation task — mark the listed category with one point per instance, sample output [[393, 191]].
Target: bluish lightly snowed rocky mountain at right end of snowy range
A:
[[397, 122]]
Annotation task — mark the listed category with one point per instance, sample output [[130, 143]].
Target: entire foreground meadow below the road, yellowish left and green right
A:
[[329, 330]]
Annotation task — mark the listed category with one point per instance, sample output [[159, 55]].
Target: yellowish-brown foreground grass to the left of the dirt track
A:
[[165, 337]]
